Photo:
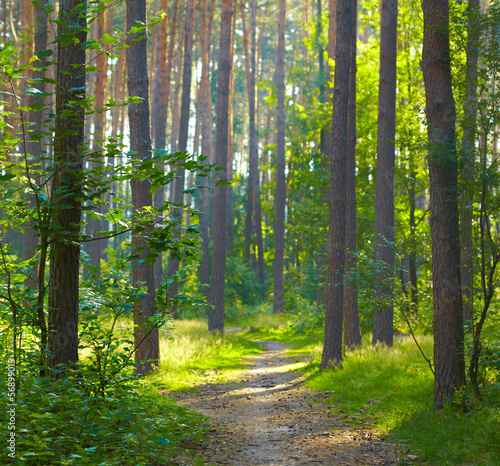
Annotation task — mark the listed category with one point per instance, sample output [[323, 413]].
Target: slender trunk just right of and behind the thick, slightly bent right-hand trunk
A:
[[467, 162]]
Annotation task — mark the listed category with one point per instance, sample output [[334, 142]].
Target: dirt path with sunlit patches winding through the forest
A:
[[267, 418]]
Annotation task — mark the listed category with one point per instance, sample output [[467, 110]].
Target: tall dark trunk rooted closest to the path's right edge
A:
[[332, 347]]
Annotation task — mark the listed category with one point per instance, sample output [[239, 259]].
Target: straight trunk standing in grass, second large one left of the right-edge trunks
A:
[[384, 184]]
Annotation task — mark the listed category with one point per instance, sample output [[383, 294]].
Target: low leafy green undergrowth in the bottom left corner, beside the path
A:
[[57, 424]]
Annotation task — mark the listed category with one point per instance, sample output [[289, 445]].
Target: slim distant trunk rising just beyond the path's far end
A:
[[279, 227]]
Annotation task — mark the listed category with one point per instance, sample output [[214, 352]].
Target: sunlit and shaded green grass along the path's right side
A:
[[392, 389]]
